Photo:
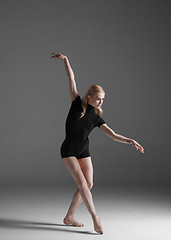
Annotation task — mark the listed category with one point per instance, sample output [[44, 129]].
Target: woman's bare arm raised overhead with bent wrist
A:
[[72, 83]]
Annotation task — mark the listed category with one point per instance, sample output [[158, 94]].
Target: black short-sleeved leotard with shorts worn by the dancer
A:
[[77, 130]]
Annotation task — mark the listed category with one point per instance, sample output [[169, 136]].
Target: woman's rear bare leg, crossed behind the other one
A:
[[87, 169]]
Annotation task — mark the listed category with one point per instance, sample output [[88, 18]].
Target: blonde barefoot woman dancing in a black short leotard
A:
[[84, 115]]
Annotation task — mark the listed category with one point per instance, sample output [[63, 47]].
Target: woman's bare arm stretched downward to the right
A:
[[119, 138]]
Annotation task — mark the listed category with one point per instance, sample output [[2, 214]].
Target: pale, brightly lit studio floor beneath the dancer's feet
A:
[[127, 213]]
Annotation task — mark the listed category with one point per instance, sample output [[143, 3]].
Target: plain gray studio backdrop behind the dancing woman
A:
[[123, 46]]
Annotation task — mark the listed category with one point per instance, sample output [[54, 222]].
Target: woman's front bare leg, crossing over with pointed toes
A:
[[74, 168]]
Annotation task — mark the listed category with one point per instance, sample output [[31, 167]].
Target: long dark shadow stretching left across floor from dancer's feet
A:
[[22, 224]]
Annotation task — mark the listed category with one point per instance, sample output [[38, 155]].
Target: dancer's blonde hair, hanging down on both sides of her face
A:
[[94, 89]]
